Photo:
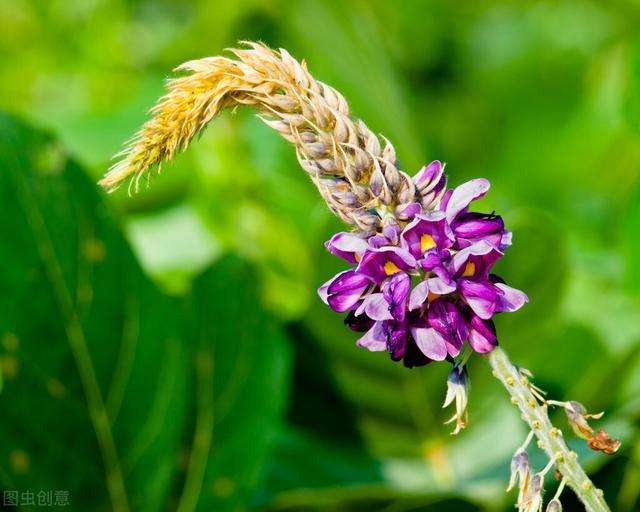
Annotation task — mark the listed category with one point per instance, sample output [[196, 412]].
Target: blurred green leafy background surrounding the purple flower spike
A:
[[216, 379]]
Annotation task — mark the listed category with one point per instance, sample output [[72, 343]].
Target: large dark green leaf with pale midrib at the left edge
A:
[[97, 386]]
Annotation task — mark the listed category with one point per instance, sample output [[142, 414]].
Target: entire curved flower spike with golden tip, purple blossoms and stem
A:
[[420, 284]]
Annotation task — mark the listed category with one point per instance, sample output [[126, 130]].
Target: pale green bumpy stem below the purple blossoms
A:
[[549, 438]]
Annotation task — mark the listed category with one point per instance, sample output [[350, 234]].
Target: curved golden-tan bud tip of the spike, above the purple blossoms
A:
[[343, 157]]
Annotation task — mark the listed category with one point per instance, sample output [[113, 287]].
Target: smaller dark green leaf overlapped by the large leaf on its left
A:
[[242, 368]]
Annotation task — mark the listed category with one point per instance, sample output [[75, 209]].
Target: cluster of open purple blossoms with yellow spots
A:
[[421, 288]]
